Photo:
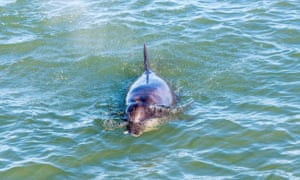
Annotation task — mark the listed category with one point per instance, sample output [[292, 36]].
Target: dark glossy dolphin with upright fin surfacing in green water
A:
[[148, 100]]
